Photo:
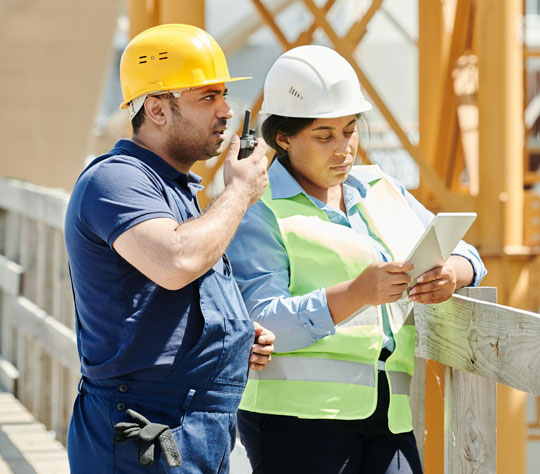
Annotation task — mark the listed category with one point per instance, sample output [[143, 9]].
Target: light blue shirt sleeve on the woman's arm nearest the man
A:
[[261, 269]]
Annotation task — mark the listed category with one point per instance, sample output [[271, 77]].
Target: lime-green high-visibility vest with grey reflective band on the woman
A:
[[336, 377]]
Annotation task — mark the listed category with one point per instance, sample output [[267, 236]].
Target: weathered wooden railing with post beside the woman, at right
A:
[[482, 344]]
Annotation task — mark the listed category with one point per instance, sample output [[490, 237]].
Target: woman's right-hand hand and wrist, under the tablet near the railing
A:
[[440, 283]]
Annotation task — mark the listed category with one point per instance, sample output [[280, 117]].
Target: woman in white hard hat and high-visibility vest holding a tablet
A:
[[316, 261]]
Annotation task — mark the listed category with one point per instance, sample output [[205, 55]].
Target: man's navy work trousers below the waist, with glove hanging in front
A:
[[202, 422]]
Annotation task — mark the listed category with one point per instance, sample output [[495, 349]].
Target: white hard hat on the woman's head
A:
[[312, 82]]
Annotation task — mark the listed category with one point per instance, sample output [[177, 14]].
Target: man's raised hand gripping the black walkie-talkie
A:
[[248, 176]]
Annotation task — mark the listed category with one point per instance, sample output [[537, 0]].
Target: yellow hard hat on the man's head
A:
[[171, 57]]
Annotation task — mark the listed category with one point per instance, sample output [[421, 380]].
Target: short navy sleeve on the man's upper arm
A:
[[120, 194]]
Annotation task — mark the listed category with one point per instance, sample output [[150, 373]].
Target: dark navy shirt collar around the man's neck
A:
[[158, 164]]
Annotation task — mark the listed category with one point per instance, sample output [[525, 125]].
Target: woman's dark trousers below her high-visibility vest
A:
[[289, 445]]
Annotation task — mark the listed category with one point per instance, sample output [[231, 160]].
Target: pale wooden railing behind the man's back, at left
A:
[[38, 347]]
